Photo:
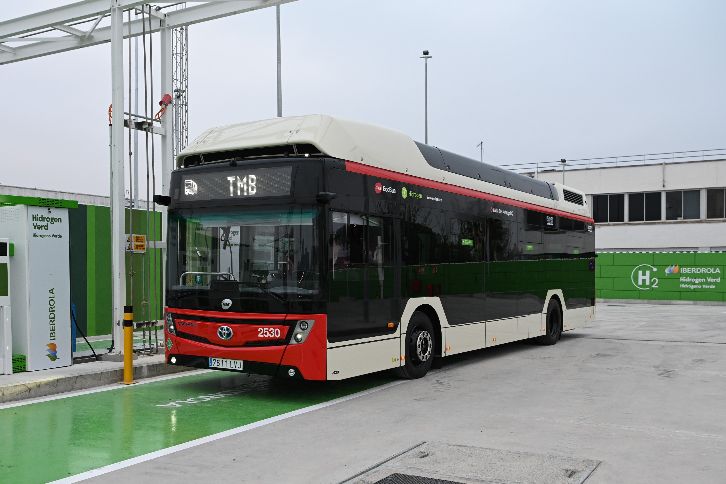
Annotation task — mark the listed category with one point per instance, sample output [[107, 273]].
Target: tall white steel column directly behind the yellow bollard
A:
[[118, 229]]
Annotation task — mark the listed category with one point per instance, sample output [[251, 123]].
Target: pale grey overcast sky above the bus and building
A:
[[536, 80]]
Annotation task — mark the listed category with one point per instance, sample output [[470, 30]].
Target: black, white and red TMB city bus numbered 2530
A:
[[318, 248]]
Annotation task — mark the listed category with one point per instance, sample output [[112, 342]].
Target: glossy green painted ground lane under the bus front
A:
[[51, 440]]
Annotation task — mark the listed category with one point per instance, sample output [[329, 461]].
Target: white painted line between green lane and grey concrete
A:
[[220, 435]]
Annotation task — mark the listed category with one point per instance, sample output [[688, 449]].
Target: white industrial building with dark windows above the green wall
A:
[[671, 204]]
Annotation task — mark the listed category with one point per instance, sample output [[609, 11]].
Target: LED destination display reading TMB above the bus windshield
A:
[[235, 184]]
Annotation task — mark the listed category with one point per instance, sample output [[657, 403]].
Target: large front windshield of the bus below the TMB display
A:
[[249, 252]]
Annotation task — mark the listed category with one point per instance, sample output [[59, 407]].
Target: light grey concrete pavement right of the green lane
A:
[[641, 391]]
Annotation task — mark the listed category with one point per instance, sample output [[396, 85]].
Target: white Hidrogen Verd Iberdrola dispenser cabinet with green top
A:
[[39, 282]]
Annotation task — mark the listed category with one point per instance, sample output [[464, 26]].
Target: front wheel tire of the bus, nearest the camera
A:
[[419, 344]]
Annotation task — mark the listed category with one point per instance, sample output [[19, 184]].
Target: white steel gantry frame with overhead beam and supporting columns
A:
[[93, 22]]
